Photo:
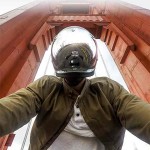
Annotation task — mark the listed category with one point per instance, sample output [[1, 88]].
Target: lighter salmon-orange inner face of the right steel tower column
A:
[[122, 54]]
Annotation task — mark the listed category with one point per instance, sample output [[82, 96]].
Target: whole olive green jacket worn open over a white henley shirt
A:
[[106, 107]]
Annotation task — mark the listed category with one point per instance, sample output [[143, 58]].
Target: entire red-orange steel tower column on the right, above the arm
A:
[[130, 44]]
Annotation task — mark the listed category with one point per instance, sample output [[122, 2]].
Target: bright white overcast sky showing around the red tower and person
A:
[[130, 141]]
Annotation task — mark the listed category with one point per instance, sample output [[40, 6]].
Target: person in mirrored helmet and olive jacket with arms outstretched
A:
[[73, 111]]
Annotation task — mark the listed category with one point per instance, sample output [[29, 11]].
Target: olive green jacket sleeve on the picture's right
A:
[[133, 112]]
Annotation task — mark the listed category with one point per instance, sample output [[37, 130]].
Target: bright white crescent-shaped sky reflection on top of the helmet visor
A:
[[72, 35]]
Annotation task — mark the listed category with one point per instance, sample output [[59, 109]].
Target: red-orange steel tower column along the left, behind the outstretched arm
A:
[[18, 64]]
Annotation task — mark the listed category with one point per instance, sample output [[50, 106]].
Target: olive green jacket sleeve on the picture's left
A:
[[18, 108]]
